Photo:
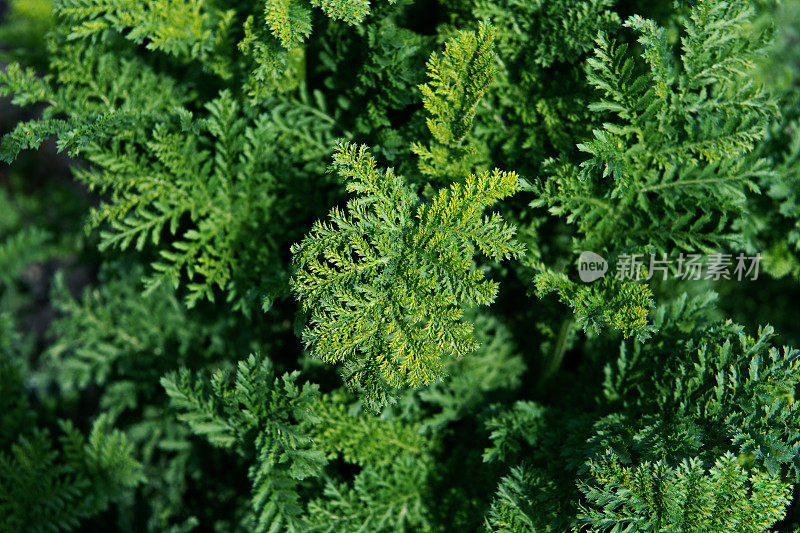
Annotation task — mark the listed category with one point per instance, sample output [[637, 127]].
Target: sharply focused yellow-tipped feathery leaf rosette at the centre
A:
[[385, 283]]
